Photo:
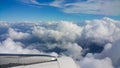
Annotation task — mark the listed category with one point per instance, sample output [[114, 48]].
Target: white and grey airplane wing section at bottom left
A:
[[35, 61]]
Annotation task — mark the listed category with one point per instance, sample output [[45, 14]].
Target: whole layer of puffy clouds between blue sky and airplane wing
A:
[[93, 45]]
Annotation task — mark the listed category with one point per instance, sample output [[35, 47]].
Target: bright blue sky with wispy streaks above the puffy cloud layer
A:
[[55, 10]]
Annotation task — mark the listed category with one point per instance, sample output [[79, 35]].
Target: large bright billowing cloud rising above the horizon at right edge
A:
[[102, 30]]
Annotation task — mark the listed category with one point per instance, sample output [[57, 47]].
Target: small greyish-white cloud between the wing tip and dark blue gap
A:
[[73, 50]]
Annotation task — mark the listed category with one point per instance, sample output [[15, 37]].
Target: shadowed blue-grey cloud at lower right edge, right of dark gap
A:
[[112, 51]]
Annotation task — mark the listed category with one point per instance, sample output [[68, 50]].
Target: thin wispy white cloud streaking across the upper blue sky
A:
[[102, 7]]
